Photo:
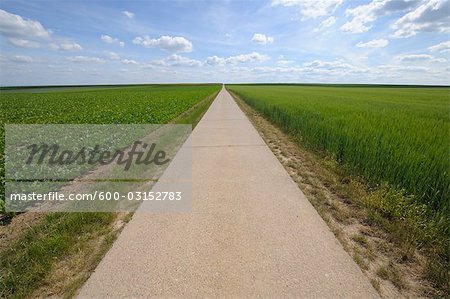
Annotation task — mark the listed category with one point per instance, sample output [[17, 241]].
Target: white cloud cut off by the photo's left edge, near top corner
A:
[[15, 26]]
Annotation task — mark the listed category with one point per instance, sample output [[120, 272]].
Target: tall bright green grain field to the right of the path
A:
[[385, 134]]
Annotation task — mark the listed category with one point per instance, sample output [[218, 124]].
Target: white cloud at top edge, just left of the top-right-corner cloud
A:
[[363, 15]]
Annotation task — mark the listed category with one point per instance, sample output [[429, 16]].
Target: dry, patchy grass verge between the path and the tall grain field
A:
[[378, 226]]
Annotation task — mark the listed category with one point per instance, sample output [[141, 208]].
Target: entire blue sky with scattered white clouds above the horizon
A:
[[339, 41]]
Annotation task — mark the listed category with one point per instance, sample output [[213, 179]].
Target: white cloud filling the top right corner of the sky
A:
[[431, 16]]
